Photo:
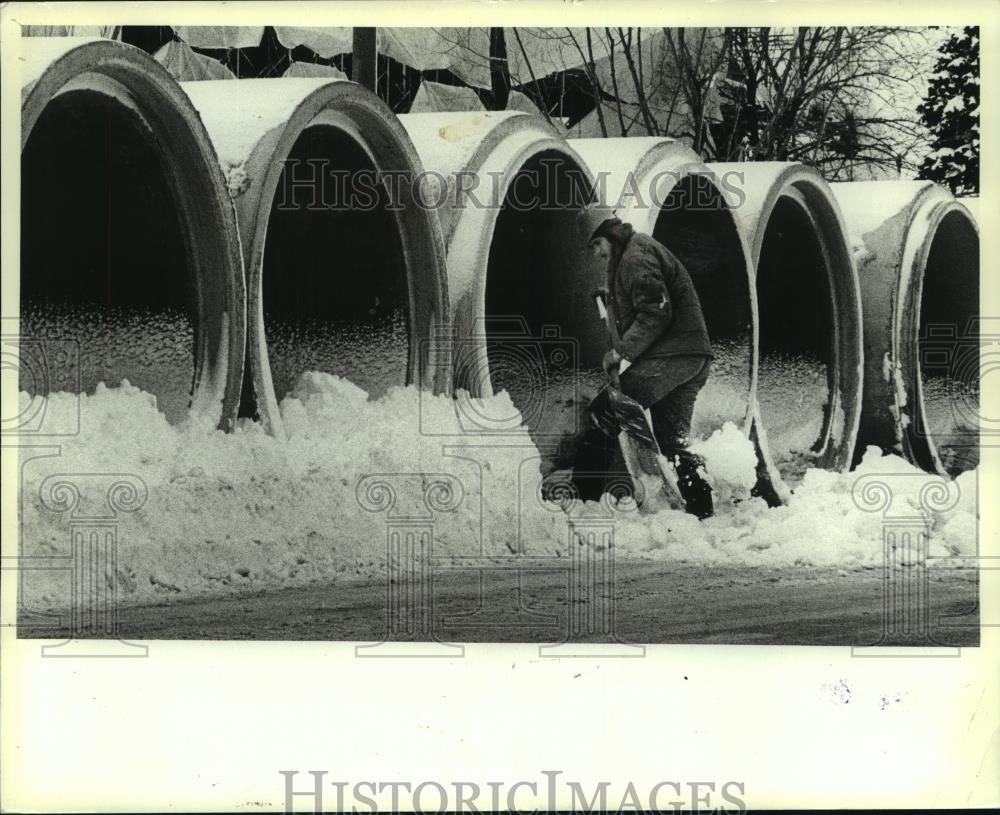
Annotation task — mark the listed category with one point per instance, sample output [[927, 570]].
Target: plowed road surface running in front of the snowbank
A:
[[653, 603]]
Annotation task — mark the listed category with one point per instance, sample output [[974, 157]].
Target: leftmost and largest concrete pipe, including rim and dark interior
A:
[[129, 249]]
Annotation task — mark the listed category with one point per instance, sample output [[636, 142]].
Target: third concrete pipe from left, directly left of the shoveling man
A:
[[524, 321]]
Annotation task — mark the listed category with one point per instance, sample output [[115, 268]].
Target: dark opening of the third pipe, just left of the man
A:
[[534, 281]]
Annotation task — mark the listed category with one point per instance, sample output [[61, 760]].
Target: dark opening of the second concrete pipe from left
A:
[[334, 279]]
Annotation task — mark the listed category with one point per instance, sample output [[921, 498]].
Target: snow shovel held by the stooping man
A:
[[649, 469]]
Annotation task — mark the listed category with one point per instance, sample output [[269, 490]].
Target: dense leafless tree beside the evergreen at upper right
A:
[[838, 98]]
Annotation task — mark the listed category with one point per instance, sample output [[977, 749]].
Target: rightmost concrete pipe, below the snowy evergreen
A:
[[918, 259]]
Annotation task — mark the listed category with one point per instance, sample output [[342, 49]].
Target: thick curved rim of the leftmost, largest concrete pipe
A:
[[206, 213]]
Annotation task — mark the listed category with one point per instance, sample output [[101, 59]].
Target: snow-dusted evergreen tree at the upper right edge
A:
[[951, 112]]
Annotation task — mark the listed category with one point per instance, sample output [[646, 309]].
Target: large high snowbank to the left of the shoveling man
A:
[[243, 508]]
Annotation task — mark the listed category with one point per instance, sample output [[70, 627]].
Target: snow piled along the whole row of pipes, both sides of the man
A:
[[241, 510]]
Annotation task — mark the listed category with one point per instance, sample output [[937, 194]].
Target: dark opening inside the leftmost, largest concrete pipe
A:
[[102, 253]]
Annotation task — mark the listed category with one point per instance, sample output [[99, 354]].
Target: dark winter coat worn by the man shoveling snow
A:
[[657, 314]]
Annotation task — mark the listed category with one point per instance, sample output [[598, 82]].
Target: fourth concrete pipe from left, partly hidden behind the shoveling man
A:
[[663, 189]]
